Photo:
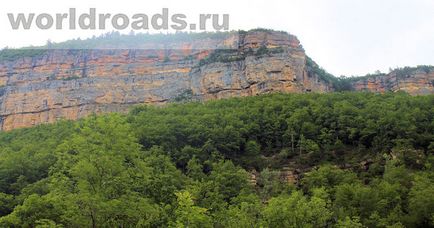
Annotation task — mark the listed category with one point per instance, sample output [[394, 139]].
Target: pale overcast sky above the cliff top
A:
[[345, 37]]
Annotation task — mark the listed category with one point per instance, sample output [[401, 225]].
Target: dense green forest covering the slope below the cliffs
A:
[[358, 160]]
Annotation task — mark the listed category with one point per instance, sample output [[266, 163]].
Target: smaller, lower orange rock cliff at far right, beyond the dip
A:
[[418, 81]]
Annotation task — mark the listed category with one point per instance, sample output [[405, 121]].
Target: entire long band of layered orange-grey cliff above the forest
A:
[[42, 86]]
